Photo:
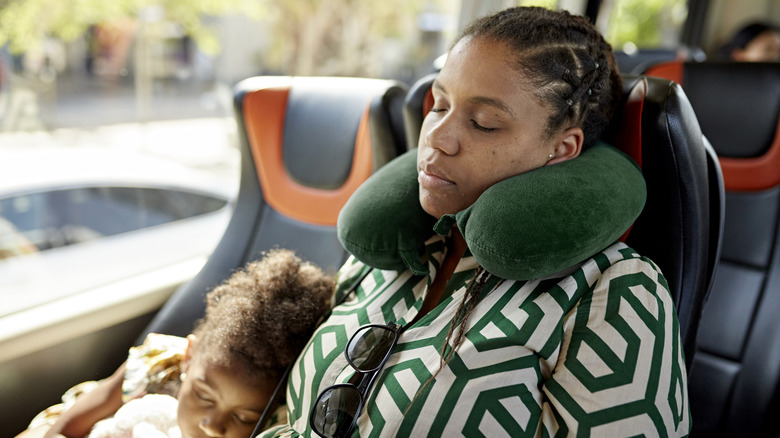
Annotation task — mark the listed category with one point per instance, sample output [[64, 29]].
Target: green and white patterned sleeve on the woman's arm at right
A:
[[622, 343]]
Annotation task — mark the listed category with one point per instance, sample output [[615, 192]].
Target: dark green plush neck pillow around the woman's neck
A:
[[528, 226]]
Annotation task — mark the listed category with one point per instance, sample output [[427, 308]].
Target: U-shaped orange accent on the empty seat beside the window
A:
[[264, 113]]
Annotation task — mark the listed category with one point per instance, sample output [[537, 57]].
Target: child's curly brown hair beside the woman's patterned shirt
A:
[[263, 315]]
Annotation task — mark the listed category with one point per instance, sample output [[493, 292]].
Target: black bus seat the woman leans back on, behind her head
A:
[[679, 228]]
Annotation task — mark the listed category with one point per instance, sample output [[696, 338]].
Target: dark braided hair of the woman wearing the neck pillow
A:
[[569, 64]]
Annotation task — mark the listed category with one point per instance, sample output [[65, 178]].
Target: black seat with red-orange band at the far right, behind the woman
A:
[[735, 380]]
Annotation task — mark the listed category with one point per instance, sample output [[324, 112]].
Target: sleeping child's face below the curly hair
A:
[[218, 401]]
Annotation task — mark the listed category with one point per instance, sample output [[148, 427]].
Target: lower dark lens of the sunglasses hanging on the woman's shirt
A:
[[335, 411]]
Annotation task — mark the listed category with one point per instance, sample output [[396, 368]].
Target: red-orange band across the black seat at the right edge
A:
[[750, 174]]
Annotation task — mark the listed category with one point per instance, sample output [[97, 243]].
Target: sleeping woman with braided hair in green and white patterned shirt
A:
[[447, 346]]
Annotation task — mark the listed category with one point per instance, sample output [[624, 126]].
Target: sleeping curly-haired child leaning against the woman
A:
[[225, 372]]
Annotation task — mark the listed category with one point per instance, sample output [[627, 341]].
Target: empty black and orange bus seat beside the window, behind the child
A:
[[306, 144]]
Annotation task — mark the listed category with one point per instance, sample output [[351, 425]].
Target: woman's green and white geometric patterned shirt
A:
[[594, 351]]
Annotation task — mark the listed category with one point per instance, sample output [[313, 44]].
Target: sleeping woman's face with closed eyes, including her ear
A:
[[485, 126]]
